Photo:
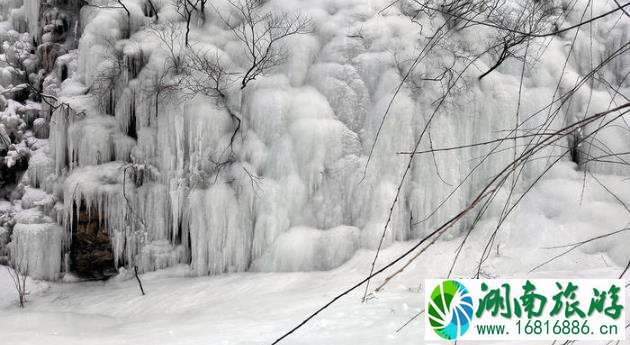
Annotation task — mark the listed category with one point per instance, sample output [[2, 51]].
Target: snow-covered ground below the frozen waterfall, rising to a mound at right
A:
[[256, 308]]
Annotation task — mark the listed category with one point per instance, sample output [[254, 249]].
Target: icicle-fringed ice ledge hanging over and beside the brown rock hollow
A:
[[136, 219]]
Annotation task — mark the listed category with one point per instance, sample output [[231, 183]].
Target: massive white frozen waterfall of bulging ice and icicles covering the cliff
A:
[[166, 176]]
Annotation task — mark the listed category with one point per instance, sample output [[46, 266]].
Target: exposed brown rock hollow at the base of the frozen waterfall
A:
[[91, 252]]
